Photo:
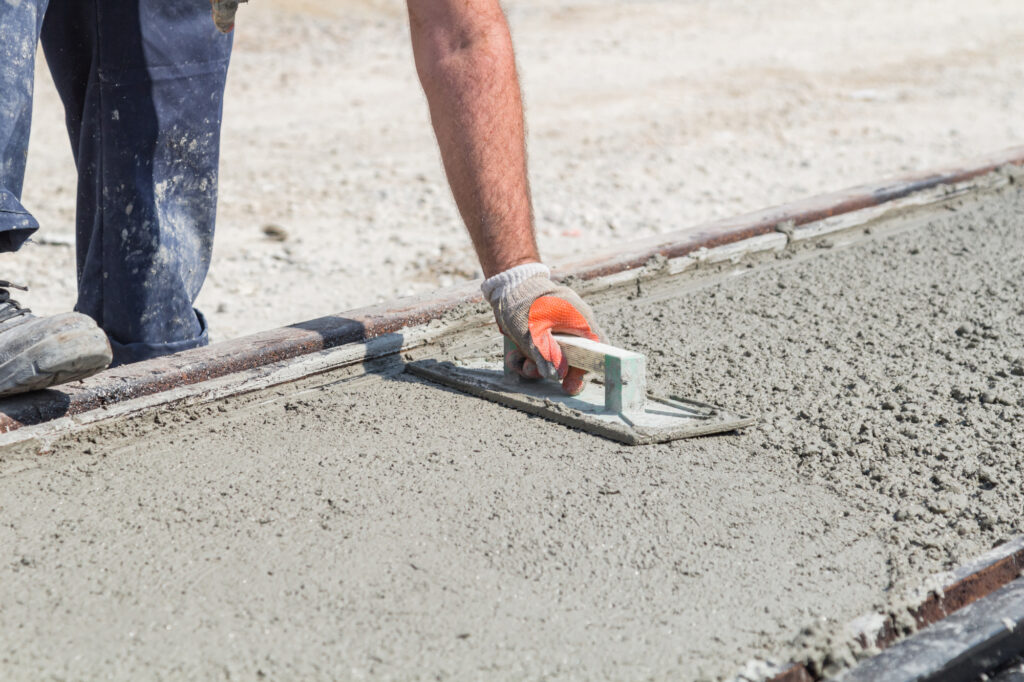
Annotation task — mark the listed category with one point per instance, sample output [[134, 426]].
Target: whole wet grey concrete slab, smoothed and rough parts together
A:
[[386, 528]]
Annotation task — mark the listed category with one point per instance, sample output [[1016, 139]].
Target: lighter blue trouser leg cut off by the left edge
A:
[[20, 26]]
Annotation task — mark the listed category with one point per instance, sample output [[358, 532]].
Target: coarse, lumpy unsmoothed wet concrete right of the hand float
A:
[[894, 368]]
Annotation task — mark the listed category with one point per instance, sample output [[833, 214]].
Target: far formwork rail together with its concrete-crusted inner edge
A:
[[720, 241]]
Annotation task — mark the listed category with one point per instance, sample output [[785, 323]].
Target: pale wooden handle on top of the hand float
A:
[[624, 372]]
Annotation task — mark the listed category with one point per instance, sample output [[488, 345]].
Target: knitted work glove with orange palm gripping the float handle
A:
[[529, 309]]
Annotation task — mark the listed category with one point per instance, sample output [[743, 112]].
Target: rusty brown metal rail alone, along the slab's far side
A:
[[363, 325]]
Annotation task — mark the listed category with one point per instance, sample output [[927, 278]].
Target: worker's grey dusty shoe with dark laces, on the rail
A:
[[36, 353]]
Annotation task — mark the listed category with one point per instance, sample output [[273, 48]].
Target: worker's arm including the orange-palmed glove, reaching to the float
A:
[[466, 63]]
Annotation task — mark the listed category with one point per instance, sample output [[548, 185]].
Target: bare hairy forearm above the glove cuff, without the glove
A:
[[466, 64]]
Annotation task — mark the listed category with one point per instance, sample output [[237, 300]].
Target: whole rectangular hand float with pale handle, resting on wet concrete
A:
[[616, 406]]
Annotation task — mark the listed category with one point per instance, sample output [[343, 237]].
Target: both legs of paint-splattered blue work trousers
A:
[[143, 86]]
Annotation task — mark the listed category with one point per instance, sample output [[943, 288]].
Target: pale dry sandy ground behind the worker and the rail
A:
[[646, 117]]
